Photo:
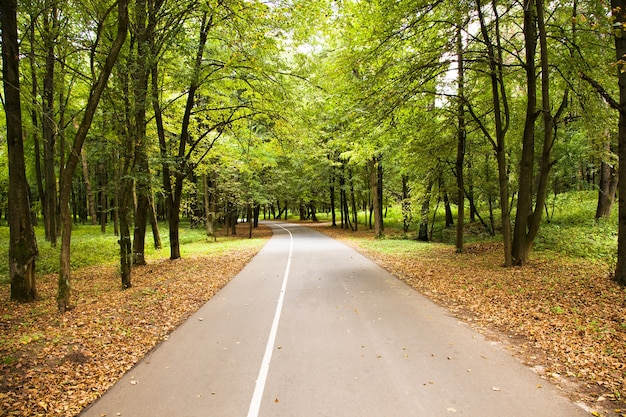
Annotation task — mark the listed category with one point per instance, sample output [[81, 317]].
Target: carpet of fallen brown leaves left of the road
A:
[[55, 364]]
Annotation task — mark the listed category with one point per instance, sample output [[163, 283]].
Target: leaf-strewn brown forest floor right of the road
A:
[[564, 318]]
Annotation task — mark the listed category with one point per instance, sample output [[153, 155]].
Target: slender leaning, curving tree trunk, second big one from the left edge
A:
[[63, 296]]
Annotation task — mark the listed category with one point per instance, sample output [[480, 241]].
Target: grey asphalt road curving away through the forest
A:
[[312, 328]]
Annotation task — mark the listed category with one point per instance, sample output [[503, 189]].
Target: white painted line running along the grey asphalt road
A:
[[257, 396]]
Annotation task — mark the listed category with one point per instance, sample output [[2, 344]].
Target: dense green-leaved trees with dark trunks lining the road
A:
[[214, 110]]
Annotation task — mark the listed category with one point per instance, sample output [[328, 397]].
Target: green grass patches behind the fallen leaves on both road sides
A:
[[571, 231]]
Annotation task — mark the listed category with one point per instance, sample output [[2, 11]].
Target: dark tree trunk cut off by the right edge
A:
[[619, 13]]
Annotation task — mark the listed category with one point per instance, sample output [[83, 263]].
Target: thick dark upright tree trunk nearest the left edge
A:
[[22, 242]]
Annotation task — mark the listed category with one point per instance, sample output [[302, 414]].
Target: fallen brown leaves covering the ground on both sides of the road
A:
[[563, 318]]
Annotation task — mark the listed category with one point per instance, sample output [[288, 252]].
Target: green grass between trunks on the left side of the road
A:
[[91, 247]]
